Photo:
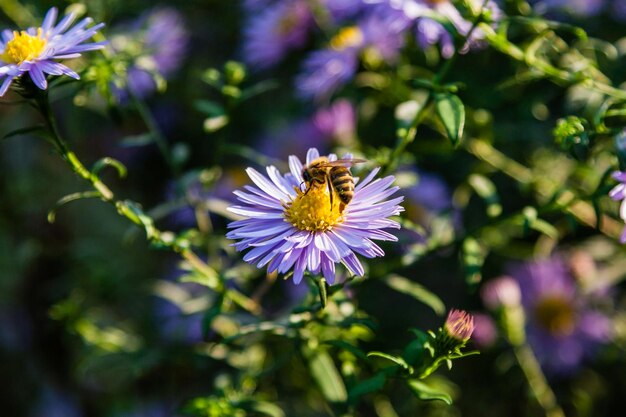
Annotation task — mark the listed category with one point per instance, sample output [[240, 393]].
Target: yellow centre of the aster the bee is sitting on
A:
[[312, 211]]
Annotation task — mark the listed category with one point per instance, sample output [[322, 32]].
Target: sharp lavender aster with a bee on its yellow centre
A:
[[293, 225]]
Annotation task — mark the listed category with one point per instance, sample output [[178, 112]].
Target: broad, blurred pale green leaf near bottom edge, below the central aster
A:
[[325, 373]]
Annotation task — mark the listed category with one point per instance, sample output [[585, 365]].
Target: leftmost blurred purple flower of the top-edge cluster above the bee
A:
[[276, 30]]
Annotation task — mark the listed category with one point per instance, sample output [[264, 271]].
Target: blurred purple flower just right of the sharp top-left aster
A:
[[161, 37]]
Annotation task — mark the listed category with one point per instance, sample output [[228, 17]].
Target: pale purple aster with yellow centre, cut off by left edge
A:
[[35, 50]]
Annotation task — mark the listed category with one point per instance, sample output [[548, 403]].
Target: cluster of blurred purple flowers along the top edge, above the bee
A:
[[374, 29]]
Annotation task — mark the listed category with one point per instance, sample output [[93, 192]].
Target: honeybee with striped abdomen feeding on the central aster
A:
[[335, 174]]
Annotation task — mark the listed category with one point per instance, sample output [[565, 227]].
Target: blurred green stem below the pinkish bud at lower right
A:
[[537, 381]]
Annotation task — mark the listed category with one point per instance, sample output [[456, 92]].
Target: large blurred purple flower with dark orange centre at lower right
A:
[[562, 327]]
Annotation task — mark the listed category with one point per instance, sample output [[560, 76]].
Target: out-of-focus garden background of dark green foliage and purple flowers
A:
[[96, 321]]
